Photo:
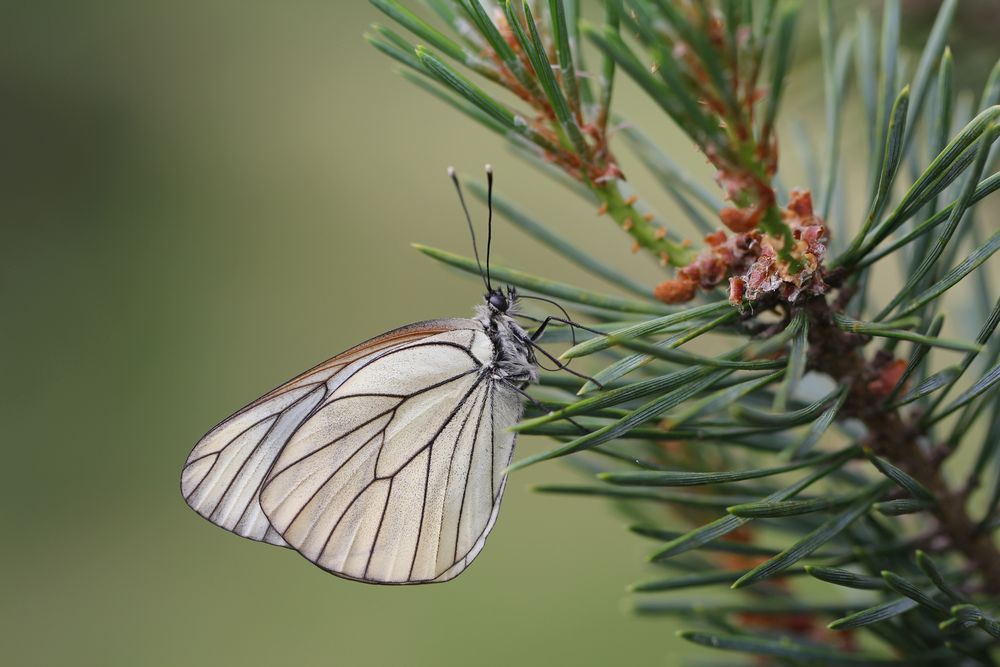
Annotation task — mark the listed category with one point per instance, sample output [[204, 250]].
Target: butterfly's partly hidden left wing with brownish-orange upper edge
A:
[[223, 474]]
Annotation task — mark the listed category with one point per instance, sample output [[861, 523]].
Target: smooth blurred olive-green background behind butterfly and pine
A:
[[200, 199]]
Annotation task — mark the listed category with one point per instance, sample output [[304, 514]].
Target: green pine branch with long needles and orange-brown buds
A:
[[828, 413]]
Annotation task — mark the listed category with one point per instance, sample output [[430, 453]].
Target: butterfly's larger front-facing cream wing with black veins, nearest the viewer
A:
[[397, 476]]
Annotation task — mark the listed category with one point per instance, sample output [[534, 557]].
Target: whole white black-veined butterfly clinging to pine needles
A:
[[385, 464]]
